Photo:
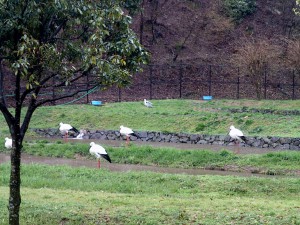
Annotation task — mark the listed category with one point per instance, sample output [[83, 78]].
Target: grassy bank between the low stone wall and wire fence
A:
[[188, 116]]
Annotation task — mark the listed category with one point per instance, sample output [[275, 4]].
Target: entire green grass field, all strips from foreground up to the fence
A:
[[68, 195]]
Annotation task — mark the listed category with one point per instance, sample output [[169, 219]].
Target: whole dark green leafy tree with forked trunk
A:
[[52, 45]]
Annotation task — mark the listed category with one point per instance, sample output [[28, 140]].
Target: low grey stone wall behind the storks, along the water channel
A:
[[258, 142]]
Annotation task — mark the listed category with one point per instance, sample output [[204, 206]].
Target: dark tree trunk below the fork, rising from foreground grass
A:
[[15, 183]]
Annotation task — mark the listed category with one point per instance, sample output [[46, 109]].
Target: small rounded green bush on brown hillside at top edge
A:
[[238, 9]]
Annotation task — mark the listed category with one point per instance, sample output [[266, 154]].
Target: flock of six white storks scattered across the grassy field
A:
[[99, 152]]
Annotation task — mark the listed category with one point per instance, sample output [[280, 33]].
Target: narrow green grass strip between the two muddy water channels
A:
[[280, 163]]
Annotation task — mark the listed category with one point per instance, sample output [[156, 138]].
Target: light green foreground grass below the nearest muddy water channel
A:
[[87, 196]]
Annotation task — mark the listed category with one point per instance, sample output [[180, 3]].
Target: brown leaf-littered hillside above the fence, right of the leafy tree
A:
[[200, 31]]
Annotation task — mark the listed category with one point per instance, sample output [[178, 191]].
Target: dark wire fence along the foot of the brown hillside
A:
[[191, 82]]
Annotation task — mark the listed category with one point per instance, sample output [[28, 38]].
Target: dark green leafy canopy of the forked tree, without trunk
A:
[[42, 39]]
